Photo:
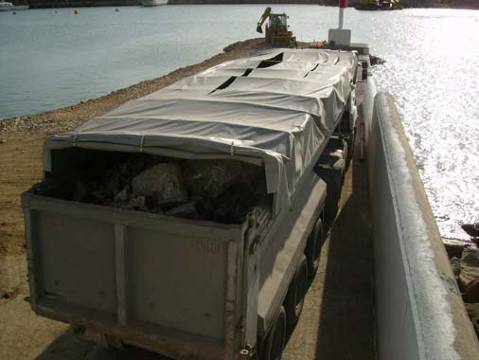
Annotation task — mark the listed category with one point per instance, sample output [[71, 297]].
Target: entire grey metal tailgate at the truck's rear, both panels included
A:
[[170, 281]]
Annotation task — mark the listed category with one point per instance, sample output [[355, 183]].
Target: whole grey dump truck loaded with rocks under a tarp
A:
[[189, 222]]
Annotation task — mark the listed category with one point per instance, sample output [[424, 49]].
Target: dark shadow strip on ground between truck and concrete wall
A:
[[346, 324]]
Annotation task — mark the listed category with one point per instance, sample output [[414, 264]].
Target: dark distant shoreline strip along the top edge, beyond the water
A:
[[37, 4]]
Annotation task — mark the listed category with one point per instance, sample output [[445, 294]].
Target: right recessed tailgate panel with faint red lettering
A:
[[167, 272]]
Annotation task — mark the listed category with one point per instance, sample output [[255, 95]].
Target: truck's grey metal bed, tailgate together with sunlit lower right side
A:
[[172, 285]]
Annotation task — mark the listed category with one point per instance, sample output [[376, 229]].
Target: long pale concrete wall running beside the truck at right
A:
[[420, 313]]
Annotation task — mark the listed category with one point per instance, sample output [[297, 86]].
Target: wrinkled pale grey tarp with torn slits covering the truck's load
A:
[[277, 108]]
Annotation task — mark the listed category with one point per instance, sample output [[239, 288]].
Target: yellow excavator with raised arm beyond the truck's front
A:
[[276, 31]]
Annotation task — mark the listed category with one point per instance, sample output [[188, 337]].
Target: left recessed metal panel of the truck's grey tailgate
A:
[[77, 261]]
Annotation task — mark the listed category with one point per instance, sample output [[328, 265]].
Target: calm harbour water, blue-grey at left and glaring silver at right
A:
[[49, 59]]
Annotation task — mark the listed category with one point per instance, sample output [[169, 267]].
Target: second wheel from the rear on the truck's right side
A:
[[294, 301]]
